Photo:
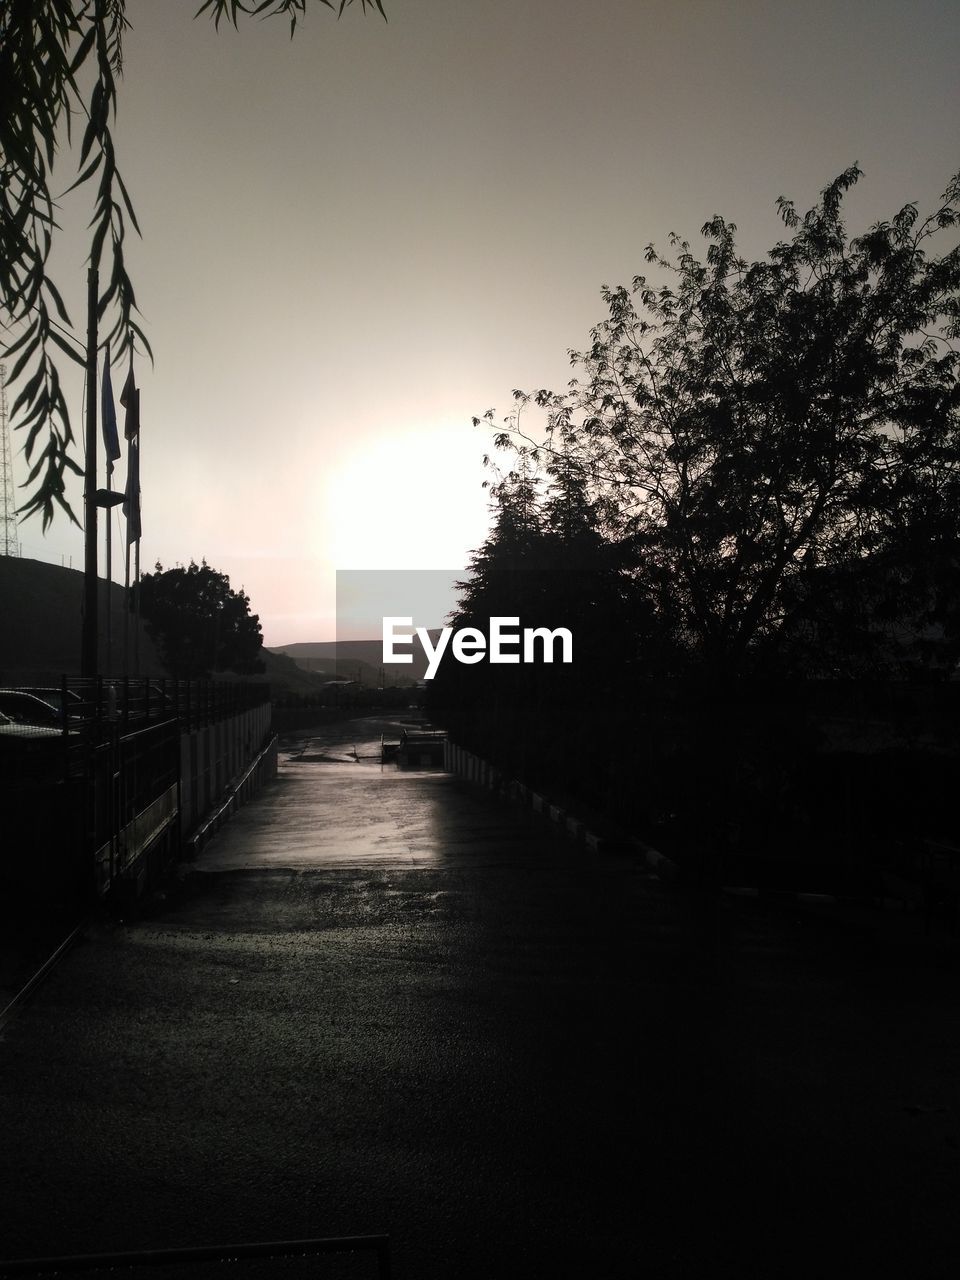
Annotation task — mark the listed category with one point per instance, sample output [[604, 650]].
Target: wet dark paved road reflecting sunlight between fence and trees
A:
[[387, 1002]]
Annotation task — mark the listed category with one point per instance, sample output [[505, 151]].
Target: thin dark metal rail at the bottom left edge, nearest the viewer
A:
[[380, 1245]]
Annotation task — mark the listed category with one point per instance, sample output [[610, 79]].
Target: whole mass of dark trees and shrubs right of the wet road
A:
[[747, 508]]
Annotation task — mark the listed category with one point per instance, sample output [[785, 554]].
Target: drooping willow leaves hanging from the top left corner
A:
[[49, 49]]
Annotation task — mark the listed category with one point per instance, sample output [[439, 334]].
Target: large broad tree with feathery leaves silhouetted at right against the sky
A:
[[757, 431]]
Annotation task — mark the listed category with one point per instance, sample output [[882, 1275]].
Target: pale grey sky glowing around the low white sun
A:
[[358, 240]]
